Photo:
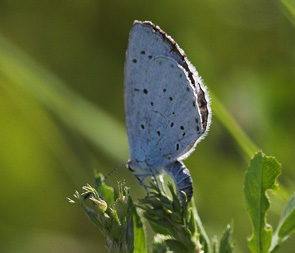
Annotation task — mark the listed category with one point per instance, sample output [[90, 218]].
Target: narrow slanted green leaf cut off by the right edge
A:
[[286, 225]]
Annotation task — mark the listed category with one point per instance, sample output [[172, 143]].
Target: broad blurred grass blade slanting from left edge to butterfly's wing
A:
[[96, 125]]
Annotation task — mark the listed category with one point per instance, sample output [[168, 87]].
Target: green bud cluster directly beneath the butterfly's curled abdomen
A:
[[169, 218]]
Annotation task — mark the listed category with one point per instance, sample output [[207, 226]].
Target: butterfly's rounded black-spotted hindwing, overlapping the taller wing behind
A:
[[174, 119]]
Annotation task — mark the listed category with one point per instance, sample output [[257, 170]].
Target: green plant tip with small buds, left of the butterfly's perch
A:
[[114, 213]]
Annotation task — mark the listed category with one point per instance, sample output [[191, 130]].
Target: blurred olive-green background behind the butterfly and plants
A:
[[62, 116]]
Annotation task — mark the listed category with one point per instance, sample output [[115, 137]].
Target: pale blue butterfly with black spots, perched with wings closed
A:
[[167, 107]]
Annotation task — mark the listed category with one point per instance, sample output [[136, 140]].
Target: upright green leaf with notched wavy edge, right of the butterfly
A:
[[261, 176]]
